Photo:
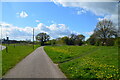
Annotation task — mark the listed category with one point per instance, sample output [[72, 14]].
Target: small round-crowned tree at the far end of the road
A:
[[42, 37]]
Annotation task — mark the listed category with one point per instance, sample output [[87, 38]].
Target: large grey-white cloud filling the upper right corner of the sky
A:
[[108, 10]]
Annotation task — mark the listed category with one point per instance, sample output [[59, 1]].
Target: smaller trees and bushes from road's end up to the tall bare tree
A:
[[73, 39]]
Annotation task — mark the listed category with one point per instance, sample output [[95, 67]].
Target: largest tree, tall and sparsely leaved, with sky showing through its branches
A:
[[105, 30]]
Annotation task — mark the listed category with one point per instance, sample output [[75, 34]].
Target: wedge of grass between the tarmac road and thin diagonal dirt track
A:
[[60, 54]]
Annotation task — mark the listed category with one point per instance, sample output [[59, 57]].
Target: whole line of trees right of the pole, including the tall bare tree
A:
[[105, 34]]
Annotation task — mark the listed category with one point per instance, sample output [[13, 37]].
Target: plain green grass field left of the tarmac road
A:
[[15, 55]]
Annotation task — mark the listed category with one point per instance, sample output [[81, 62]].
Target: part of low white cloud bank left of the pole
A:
[[15, 32]]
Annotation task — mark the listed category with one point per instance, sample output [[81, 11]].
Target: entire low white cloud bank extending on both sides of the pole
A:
[[18, 33]]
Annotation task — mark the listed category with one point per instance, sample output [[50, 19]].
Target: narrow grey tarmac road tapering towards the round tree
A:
[[35, 65]]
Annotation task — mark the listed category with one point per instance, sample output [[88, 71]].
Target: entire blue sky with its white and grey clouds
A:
[[56, 18]]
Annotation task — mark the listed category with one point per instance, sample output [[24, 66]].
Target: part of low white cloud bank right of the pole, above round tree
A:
[[54, 30]]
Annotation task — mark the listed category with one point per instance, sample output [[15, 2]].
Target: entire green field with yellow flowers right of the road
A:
[[101, 62]]
